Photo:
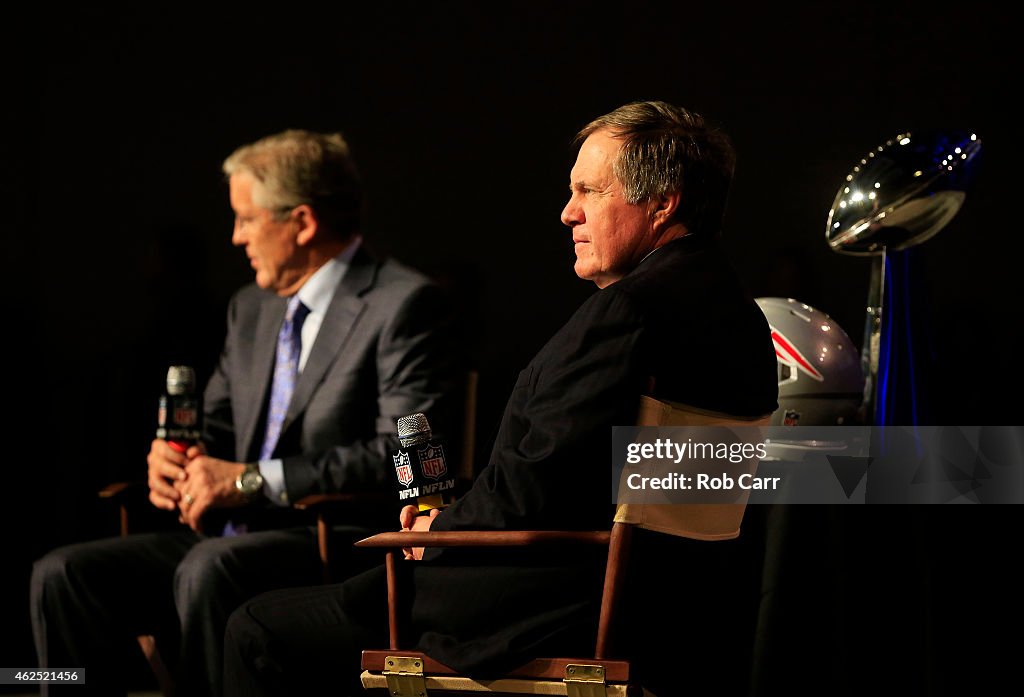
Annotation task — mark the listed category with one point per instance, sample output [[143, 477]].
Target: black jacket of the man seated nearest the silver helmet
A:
[[681, 322]]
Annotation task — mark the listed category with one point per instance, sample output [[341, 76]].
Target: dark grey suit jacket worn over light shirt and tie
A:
[[383, 352]]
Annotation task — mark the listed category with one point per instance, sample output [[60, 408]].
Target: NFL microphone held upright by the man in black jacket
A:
[[420, 467]]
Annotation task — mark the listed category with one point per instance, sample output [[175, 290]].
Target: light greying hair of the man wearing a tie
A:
[[298, 167]]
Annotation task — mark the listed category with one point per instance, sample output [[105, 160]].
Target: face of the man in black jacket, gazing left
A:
[[611, 236]]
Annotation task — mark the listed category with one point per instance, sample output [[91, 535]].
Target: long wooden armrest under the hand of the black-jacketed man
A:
[[485, 539]]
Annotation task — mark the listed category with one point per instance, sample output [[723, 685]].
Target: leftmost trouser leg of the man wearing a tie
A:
[[91, 600]]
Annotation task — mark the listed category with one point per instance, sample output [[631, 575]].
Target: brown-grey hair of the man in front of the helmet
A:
[[668, 149]]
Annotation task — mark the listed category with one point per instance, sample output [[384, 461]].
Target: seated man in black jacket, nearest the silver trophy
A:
[[671, 320]]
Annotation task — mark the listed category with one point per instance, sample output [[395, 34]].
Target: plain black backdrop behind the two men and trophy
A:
[[118, 229]]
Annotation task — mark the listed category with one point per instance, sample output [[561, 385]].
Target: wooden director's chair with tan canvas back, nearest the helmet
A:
[[410, 674]]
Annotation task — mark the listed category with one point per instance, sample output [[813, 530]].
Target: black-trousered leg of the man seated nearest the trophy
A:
[[306, 641]]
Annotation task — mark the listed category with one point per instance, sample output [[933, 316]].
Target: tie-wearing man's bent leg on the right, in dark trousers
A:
[[217, 577]]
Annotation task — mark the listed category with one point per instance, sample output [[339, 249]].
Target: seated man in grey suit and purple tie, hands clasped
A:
[[323, 355]]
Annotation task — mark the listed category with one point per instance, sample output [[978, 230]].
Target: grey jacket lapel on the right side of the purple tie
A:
[[342, 317]]
